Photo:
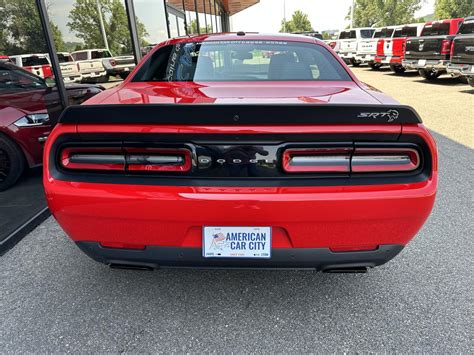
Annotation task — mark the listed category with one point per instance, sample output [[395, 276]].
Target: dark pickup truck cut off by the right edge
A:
[[462, 53]]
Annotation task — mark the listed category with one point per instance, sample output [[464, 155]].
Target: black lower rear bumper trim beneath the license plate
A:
[[292, 258]]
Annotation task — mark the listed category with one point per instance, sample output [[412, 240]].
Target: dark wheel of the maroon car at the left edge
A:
[[12, 163]]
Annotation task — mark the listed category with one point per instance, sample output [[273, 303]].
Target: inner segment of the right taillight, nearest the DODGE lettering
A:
[[317, 160]]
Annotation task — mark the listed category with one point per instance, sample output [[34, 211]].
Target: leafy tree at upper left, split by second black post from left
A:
[[85, 23]]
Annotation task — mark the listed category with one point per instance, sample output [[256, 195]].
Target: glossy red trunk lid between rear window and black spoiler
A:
[[226, 93]]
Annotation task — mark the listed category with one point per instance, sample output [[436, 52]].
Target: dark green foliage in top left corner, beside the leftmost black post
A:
[[21, 31]]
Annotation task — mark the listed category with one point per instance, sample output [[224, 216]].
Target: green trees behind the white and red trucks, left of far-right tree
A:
[[377, 13]]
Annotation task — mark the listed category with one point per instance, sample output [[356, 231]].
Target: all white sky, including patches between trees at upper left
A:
[[265, 16]]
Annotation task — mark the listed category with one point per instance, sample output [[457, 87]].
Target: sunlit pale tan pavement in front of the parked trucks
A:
[[446, 105]]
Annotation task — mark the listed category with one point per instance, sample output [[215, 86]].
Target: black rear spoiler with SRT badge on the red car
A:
[[235, 114]]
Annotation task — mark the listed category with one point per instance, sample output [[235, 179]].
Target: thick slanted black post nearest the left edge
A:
[[53, 56]]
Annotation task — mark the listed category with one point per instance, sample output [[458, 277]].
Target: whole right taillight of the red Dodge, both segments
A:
[[348, 160]]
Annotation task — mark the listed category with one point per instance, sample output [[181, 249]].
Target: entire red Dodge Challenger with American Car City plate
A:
[[213, 154]]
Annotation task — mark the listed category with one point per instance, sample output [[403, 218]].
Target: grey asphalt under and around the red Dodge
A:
[[53, 298]]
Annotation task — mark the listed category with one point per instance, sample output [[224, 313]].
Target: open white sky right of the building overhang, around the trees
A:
[[266, 16]]
